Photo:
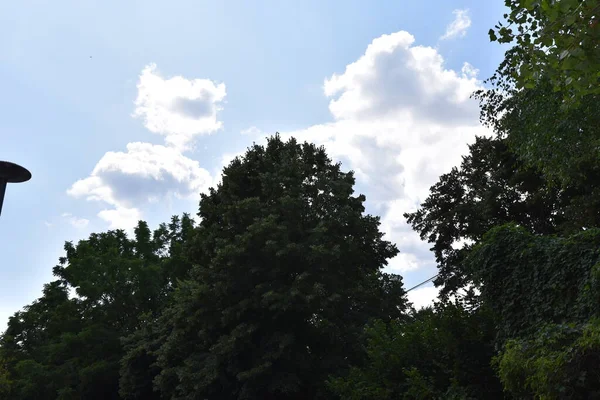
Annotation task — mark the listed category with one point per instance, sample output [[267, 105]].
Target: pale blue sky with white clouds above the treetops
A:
[[127, 110]]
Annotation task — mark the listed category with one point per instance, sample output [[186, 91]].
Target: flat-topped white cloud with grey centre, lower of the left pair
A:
[[144, 173]]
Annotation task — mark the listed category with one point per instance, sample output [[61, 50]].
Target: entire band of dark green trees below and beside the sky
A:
[[279, 292]]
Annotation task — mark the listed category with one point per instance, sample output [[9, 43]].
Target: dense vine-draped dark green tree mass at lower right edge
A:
[[544, 292]]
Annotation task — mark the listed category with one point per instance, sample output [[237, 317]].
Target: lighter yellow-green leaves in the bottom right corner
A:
[[557, 362]]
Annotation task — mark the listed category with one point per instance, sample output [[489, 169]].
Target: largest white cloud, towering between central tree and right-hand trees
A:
[[401, 119]]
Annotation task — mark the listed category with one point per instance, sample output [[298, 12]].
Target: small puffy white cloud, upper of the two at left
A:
[[178, 108]]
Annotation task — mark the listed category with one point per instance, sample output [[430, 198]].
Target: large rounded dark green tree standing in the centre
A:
[[286, 274]]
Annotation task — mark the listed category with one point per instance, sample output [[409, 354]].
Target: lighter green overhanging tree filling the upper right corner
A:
[[548, 86]]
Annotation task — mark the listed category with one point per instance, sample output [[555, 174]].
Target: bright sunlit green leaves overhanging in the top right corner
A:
[[559, 40]]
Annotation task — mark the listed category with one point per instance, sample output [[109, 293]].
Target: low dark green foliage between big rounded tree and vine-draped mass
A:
[[437, 354]]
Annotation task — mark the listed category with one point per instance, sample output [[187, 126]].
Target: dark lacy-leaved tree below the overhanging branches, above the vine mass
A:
[[493, 187]]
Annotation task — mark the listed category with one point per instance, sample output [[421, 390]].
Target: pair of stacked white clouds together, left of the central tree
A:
[[177, 108]]
